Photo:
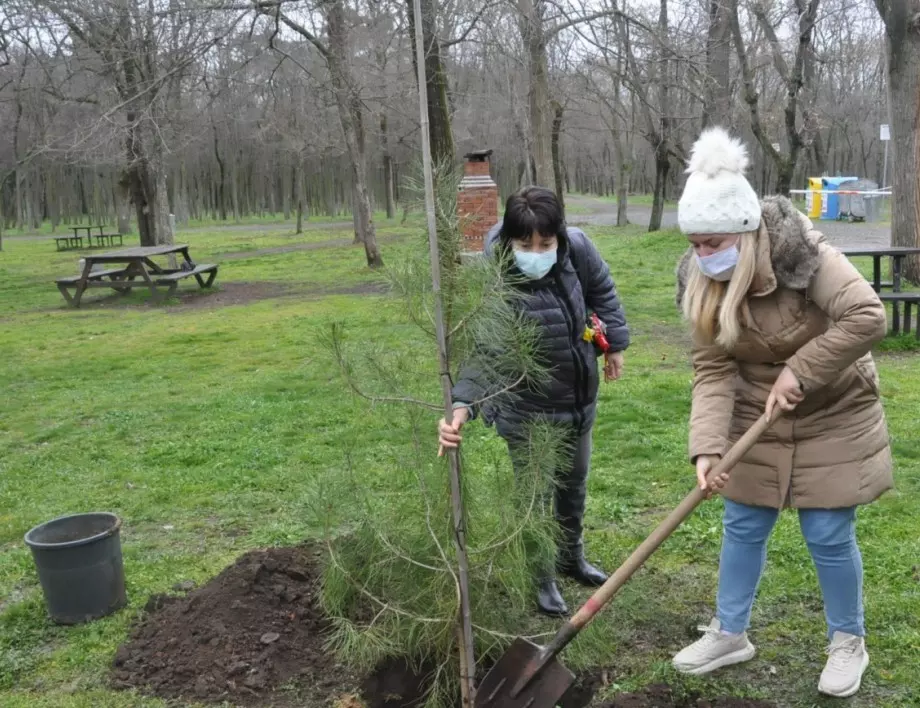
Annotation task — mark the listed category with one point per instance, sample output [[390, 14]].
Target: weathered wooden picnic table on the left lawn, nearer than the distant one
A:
[[137, 263]]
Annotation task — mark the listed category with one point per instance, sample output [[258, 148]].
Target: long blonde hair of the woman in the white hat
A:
[[714, 308]]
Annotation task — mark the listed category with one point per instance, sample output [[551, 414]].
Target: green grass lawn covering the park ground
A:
[[209, 429]]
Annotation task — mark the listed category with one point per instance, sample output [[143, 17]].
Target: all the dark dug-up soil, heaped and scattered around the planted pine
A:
[[257, 628]]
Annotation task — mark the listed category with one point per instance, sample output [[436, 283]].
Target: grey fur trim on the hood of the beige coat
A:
[[794, 247]]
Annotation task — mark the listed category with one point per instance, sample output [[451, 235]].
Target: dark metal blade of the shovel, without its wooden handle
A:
[[499, 688]]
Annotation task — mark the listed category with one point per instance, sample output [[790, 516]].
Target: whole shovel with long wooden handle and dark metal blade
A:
[[530, 676]]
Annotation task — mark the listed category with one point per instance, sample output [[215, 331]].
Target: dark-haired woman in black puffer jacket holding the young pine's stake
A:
[[565, 280]]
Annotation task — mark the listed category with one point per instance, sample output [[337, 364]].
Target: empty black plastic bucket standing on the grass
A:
[[79, 565]]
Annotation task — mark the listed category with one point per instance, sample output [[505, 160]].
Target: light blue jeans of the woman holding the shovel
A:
[[831, 538]]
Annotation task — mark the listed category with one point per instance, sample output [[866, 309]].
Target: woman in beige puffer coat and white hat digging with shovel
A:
[[779, 318]]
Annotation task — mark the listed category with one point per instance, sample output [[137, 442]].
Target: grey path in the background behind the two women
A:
[[597, 212]]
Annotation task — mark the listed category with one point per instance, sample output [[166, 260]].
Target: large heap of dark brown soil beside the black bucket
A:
[[254, 628]]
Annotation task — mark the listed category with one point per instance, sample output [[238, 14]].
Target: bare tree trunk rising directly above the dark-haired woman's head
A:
[[533, 32]]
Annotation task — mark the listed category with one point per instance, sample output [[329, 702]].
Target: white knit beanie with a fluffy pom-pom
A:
[[717, 198]]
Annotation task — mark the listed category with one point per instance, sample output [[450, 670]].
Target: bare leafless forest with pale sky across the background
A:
[[124, 111]]
